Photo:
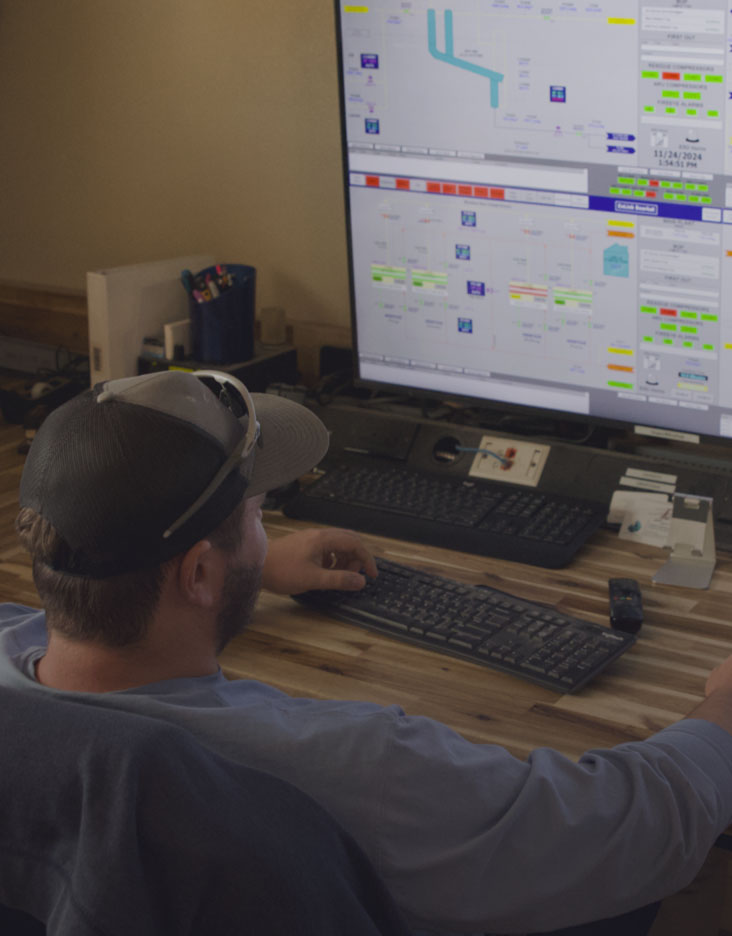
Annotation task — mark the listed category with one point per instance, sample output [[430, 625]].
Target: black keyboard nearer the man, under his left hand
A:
[[479, 624]]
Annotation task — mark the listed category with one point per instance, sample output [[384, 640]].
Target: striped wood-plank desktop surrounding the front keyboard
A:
[[686, 633]]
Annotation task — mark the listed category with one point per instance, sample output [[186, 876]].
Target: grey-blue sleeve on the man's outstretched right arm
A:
[[476, 839]]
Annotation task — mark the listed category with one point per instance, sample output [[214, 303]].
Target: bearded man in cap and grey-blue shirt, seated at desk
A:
[[140, 505]]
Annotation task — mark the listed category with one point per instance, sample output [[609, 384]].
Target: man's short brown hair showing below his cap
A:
[[114, 611]]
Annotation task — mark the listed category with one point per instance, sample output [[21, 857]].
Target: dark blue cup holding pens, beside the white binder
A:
[[222, 330]]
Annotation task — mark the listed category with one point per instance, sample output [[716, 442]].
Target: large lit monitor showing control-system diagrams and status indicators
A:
[[537, 201]]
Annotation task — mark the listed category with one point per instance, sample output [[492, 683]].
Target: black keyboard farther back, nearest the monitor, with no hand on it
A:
[[487, 518]]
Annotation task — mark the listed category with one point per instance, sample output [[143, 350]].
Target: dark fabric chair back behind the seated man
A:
[[113, 823]]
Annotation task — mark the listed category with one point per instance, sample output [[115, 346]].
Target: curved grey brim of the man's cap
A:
[[293, 441]]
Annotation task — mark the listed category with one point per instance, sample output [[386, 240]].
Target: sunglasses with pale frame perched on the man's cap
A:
[[234, 395]]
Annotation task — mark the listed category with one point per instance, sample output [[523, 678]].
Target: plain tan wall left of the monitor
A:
[[134, 130]]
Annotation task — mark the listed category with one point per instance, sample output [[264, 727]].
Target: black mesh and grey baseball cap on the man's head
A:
[[135, 471]]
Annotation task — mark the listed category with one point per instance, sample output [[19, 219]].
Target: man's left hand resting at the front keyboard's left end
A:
[[310, 559]]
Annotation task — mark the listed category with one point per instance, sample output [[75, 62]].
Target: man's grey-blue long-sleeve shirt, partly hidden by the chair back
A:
[[466, 836]]
